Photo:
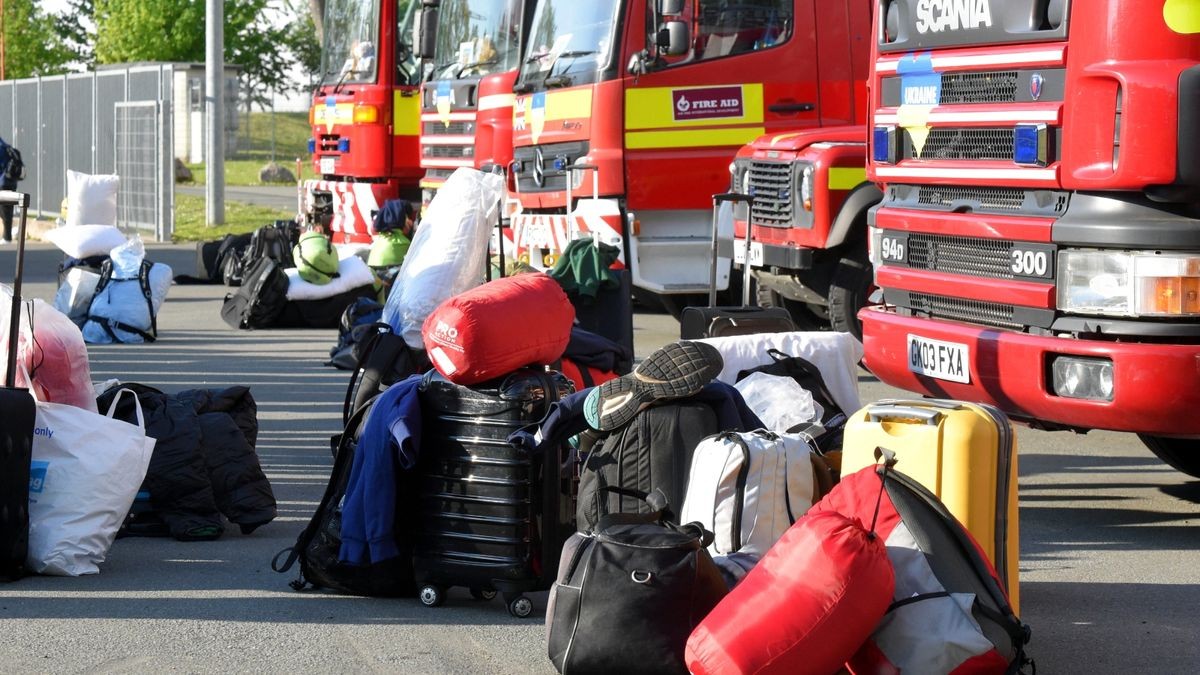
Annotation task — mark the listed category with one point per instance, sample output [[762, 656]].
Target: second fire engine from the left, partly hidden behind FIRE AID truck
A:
[[475, 51]]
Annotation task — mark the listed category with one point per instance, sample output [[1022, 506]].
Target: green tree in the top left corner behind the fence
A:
[[31, 45]]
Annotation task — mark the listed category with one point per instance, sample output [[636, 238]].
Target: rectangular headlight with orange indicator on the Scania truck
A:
[[1130, 284]]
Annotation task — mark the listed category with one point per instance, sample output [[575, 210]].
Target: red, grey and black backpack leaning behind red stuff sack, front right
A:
[[950, 613]]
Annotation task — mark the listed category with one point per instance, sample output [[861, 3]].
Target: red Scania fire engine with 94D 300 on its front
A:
[[1039, 243]]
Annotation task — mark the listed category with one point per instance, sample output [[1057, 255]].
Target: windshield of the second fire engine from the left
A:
[[477, 38]]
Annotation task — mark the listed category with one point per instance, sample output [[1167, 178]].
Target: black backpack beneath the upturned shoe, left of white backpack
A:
[[653, 452]]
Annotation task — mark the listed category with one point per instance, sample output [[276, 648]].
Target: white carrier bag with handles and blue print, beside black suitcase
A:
[[86, 474]]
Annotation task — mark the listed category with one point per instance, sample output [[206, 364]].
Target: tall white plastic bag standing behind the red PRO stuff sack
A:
[[448, 252]]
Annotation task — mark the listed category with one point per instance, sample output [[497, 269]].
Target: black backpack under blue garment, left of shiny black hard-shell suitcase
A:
[[320, 545]]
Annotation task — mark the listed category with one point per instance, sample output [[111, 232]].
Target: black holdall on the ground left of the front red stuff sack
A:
[[631, 593]]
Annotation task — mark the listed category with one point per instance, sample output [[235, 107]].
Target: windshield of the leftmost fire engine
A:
[[352, 34]]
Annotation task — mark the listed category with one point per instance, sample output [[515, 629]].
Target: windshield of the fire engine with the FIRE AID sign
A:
[[571, 43]]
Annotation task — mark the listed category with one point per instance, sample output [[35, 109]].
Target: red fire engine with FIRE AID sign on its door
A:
[[628, 115]]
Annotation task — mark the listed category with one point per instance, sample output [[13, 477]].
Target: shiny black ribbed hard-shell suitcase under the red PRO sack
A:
[[490, 517]]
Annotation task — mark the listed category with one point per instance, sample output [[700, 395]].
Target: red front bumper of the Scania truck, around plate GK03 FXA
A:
[[1156, 387]]
